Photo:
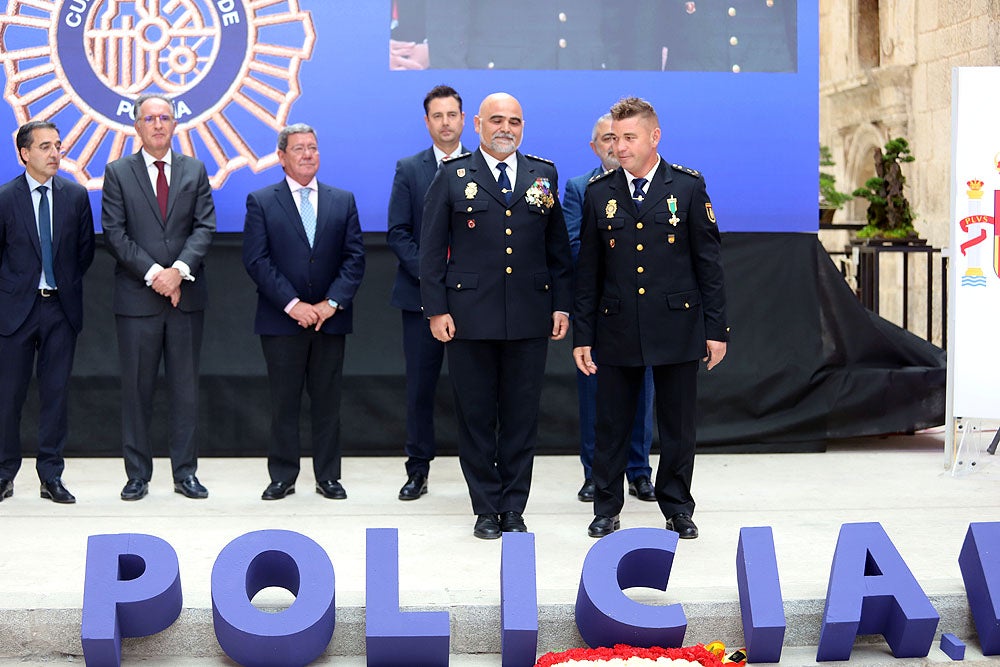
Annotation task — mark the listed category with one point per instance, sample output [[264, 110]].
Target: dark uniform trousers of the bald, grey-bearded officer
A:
[[498, 385]]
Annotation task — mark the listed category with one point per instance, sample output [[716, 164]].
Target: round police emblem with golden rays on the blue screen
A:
[[81, 63]]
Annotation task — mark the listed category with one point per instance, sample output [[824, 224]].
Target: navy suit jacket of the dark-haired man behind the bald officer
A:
[[406, 207]]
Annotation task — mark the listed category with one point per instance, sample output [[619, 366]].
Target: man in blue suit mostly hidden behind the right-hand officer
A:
[[638, 471]]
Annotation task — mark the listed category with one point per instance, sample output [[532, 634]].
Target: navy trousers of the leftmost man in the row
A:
[[45, 340]]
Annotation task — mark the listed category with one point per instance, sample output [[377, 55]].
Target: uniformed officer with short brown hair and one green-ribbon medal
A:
[[649, 292]]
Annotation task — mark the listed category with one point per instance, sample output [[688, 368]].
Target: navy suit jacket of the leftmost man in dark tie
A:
[[21, 254]]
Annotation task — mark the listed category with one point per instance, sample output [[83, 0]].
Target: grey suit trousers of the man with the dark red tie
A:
[[175, 337]]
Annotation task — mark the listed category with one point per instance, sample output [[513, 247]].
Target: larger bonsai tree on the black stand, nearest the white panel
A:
[[889, 213]]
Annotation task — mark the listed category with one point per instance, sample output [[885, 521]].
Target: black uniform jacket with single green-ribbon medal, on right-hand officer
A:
[[683, 298]]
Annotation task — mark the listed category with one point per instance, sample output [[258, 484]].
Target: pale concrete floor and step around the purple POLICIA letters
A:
[[900, 482]]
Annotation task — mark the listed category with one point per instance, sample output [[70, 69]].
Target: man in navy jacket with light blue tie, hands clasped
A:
[[303, 248]]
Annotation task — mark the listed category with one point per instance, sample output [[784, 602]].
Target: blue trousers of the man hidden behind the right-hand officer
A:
[[642, 427]]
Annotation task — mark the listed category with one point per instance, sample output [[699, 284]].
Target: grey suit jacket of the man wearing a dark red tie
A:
[[138, 236]]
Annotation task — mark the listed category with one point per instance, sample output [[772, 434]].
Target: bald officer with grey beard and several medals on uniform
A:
[[496, 281]]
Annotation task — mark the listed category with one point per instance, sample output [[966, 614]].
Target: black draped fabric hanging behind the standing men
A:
[[806, 363]]
